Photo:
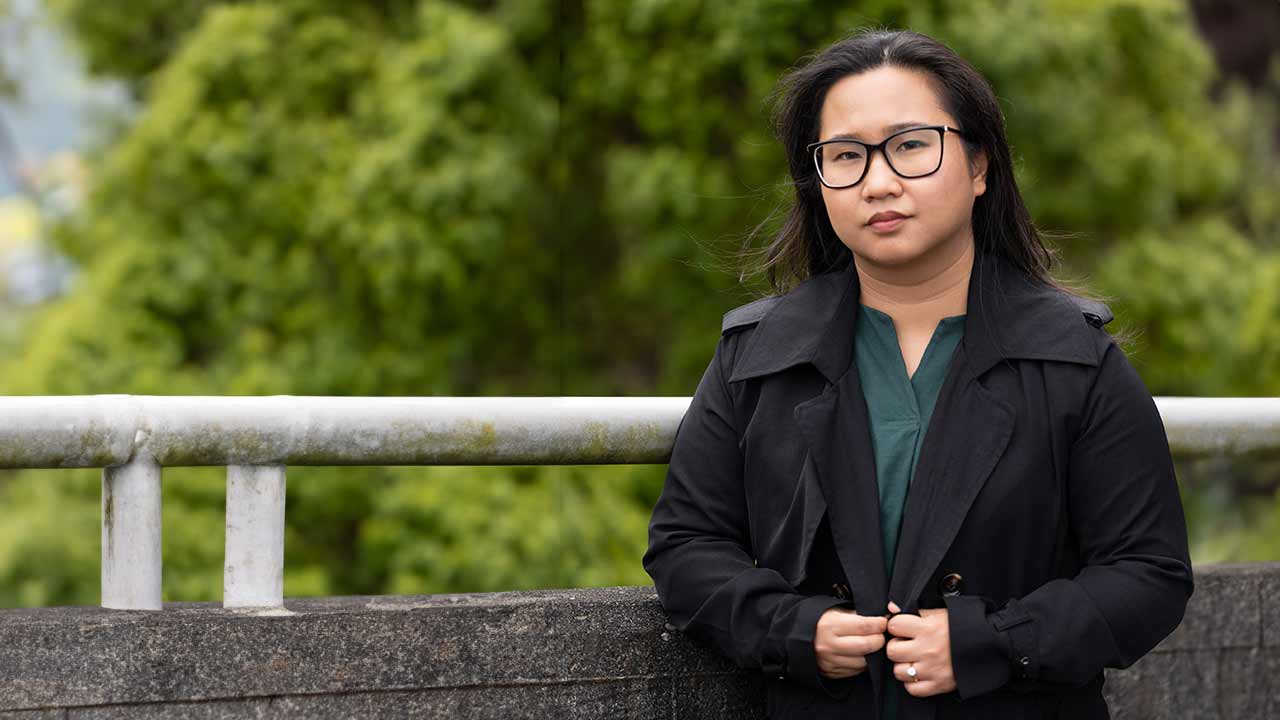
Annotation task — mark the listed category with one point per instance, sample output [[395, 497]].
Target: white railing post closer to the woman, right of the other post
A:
[[254, 571]]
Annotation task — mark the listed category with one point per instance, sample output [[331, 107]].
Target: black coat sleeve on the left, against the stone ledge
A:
[[700, 549]]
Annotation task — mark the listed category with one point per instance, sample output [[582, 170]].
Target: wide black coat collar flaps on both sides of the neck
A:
[[1008, 317]]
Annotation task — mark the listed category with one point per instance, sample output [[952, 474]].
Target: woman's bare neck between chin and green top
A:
[[918, 297]]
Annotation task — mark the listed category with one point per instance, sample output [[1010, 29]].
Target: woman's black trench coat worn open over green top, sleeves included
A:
[[1044, 513]]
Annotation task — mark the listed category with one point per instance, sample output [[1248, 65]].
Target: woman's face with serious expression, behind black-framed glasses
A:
[[939, 208]]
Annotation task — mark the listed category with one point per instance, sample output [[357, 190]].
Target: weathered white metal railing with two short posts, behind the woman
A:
[[134, 438]]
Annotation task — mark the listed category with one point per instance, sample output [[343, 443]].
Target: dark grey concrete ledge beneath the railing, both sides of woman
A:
[[545, 654]]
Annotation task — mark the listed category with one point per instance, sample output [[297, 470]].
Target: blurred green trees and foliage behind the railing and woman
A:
[[534, 198]]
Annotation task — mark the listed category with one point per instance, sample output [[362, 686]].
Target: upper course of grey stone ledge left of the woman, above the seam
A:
[[88, 657]]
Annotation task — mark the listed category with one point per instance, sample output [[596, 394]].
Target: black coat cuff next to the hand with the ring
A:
[[981, 655]]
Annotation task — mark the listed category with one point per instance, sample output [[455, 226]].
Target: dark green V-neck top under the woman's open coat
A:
[[899, 411]]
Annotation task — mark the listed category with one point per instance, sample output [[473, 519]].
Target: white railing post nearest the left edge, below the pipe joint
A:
[[131, 535]]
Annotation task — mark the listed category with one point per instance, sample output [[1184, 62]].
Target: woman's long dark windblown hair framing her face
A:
[[807, 245]]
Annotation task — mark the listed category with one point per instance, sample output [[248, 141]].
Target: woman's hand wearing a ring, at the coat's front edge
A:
[[924, 642]]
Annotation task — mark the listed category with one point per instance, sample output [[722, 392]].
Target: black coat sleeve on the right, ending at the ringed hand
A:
[[1128, 525]]
